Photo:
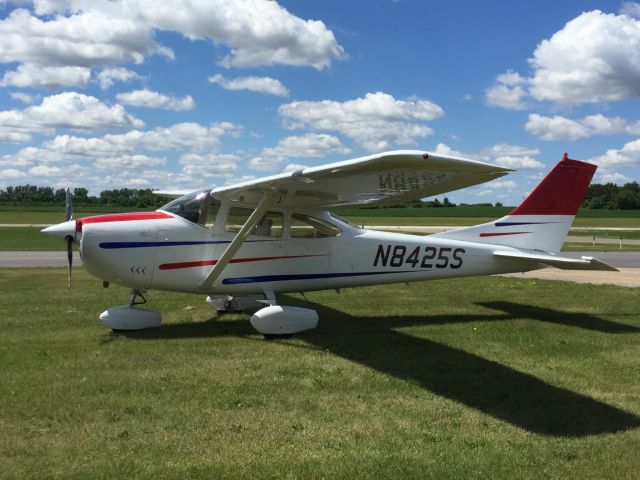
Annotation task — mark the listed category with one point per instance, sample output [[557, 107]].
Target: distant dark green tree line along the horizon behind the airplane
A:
[[608, 196]]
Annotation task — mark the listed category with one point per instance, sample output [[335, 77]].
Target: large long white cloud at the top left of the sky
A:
[[99, 33]]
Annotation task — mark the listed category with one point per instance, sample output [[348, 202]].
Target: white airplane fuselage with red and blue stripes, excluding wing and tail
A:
[[165, 251]]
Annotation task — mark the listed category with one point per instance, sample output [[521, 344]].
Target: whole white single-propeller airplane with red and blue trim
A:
[[243, 244]]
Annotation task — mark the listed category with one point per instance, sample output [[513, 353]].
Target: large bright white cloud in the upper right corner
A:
[[595, 57]]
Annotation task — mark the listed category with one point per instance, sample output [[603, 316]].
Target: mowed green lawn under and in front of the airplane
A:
[[469, 378]]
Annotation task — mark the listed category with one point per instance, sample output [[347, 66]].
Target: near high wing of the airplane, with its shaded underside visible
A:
[[386, 178]]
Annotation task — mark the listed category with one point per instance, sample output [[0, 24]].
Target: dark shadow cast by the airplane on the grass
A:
[[490, 387]]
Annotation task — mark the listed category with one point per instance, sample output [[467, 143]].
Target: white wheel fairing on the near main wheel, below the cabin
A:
[[282, 320]]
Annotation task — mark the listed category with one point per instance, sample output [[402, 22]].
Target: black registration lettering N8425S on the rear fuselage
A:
[[427, 257]]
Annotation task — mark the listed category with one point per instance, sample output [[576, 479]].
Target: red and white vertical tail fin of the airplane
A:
[[543, 219]]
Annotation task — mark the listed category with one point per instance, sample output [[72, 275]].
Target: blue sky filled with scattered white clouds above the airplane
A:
[[187, 94]]
